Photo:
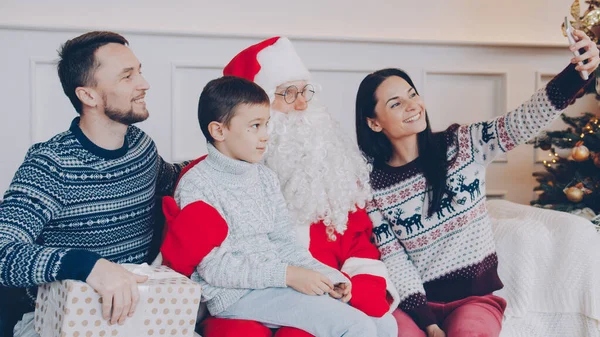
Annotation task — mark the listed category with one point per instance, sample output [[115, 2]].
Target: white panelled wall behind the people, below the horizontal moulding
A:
[[460, 83]]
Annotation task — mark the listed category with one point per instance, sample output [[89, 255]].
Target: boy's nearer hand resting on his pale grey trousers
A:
[[307, 281]]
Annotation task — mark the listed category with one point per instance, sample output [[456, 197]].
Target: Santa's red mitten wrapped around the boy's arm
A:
[[191, 234]]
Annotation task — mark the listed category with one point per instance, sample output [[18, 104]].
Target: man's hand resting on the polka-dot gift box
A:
[[118, 288]]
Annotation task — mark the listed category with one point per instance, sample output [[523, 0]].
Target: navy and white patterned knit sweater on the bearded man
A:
[[71, 203]]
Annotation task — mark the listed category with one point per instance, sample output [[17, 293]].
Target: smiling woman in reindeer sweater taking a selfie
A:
[[428, 209]]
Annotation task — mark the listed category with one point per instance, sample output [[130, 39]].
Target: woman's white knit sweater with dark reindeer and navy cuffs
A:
[[451, 255]]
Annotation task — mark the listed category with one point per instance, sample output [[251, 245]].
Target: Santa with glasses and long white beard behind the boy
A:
[[323, 177]]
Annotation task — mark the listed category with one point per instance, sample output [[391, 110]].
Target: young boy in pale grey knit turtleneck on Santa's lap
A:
[[253, 267]]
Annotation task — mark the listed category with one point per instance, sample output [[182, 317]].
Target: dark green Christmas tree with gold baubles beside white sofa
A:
[[571, 180]]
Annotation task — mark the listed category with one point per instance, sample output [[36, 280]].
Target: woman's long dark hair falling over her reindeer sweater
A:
[[378, 148]]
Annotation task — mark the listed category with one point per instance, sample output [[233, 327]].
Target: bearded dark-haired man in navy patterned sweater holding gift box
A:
[[82, 202]]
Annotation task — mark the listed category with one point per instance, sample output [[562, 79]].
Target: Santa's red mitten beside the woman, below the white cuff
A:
[[369, 294]]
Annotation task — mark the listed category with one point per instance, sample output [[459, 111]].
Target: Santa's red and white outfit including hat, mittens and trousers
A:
[[191, 233]]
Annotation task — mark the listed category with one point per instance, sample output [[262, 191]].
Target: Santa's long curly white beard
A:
[[322, 173]]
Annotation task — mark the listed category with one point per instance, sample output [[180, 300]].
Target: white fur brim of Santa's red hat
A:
[[279, 64]]
